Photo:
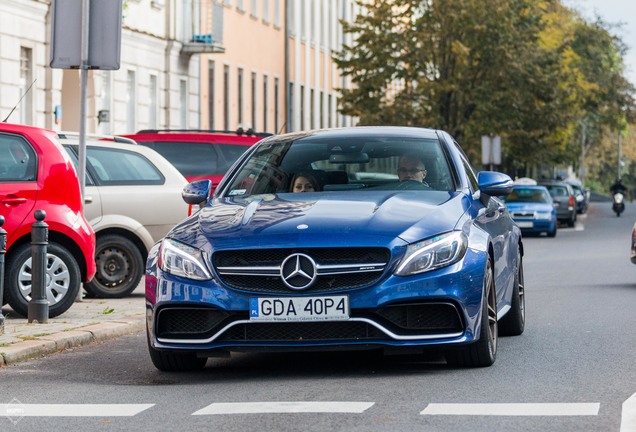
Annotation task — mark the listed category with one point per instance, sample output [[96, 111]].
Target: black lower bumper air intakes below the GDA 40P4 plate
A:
[[400, 319]]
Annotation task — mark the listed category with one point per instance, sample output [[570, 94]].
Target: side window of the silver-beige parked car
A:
[[121, 167]]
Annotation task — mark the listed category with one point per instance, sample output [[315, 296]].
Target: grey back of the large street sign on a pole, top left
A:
[[104, 34]]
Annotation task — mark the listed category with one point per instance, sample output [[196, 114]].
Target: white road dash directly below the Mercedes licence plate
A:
[[284, 407]]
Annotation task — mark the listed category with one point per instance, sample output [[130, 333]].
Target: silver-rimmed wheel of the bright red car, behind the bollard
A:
[[63, 279]]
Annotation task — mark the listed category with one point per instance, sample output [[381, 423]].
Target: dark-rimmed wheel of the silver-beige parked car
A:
[[120, 267]]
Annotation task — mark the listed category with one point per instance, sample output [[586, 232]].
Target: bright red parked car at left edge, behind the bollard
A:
[[37, 174]]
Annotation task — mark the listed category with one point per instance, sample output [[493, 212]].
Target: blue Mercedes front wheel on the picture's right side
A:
[[483, 352]]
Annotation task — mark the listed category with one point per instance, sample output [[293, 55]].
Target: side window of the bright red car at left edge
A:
[[17, 159]]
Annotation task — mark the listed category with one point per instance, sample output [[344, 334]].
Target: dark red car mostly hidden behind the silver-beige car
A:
[[199, 154]]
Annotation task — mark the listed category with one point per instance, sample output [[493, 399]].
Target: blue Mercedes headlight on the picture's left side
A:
[[183, 260]]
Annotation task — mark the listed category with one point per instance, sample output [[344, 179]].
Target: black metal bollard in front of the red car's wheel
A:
[[39, 305]]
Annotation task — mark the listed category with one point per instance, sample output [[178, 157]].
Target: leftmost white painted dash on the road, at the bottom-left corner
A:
[[72, 410]]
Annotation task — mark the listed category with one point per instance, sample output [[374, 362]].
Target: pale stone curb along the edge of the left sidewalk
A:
[[49, 344]]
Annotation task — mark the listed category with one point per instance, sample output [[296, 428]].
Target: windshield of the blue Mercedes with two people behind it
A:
[[326, 164]]
